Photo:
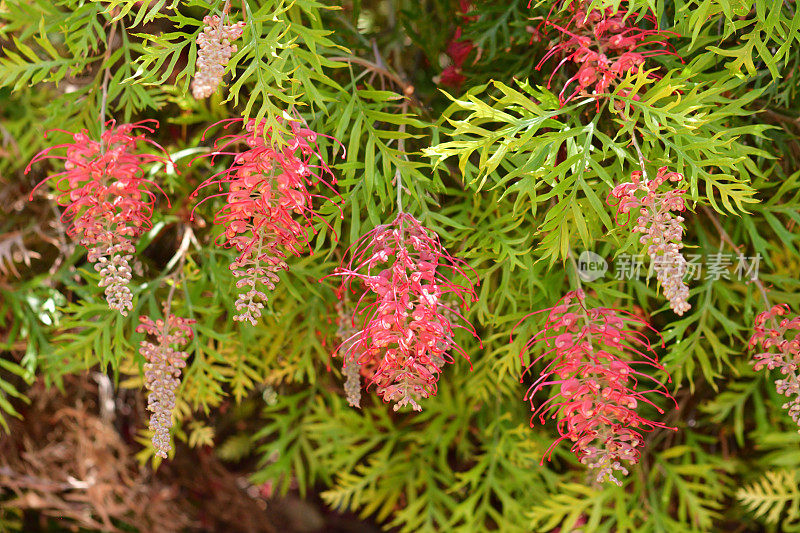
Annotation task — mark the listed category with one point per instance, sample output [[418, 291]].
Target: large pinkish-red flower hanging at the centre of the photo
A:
[[404, 328]]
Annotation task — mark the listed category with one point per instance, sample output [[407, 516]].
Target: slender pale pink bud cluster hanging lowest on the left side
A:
[[162, 372]]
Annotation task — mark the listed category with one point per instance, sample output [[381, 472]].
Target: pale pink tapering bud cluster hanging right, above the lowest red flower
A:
[[662, 232]]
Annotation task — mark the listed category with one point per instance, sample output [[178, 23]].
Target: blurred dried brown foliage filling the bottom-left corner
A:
[[70, 460]]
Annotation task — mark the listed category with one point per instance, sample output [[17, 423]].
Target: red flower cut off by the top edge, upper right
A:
[[603, 47]]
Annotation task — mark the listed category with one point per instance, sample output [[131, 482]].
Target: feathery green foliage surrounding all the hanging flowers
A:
[[511, 181]]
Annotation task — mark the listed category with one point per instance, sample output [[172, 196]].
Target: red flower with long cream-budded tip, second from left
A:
[[268, 208]]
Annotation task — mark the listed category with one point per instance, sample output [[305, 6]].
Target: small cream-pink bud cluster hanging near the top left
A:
[[214, 52]]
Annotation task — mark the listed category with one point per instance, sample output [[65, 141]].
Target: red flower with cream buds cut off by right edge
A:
[[780, 343]]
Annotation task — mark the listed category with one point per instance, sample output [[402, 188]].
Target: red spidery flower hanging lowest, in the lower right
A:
[[592, 352]]
